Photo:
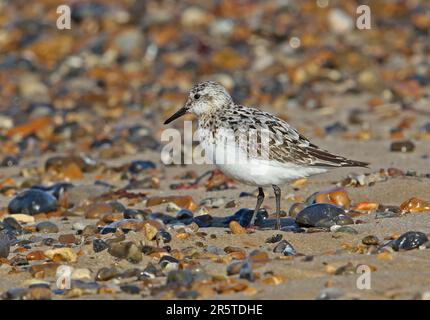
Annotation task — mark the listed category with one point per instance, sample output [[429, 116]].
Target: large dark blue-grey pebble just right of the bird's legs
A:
[[322, 215]]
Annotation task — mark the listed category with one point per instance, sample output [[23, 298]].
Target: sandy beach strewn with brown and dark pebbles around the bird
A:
[[89, 209]]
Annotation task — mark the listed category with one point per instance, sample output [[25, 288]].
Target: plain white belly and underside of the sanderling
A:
[[235, 163]]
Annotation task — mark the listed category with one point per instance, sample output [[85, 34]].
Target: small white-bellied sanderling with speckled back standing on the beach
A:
[[276, 154]]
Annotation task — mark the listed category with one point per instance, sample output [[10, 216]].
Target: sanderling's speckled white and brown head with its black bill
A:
[[203, 98]]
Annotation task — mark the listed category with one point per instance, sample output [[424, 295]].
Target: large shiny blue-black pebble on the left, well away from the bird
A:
[[32, 202]]
